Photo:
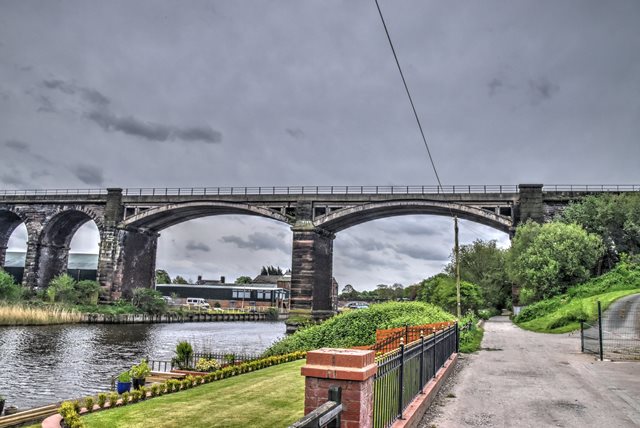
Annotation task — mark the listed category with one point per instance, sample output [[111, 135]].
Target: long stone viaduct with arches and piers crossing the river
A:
[[130, 220]]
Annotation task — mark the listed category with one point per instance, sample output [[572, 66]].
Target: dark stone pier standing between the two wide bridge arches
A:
[[312, 271]]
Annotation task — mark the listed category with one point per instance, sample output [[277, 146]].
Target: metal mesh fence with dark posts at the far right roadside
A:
[[615, 335]]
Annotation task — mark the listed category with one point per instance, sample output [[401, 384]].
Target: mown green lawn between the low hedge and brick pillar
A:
[[271, 397]]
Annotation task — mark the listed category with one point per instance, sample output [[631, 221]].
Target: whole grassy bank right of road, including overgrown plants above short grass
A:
[[563, 313]]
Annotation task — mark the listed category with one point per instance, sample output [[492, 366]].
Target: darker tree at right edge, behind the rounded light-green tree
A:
[[615, 218]]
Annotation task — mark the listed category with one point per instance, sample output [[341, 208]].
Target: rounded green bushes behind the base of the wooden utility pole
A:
[[441, 290]]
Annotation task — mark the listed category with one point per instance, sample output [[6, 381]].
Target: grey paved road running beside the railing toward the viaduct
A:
[[524, 379]]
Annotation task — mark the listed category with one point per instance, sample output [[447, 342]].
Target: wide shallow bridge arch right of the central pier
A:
[[342, 219]]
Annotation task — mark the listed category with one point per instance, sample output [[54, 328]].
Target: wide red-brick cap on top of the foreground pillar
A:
[[340, 364]]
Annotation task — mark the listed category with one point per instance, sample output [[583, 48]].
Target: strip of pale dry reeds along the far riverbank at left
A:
[[28, 315]]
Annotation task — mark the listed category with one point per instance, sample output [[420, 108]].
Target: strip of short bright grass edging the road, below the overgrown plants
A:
[[567, 318]]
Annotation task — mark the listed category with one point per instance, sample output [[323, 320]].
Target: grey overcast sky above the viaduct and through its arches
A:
[[232, 93]]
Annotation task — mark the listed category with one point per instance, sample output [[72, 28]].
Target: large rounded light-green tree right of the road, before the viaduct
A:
[[547, 259]]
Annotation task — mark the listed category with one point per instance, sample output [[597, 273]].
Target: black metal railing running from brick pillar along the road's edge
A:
[[403, 374]]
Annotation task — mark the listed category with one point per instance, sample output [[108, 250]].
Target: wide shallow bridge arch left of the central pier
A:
[[157, 219]]
